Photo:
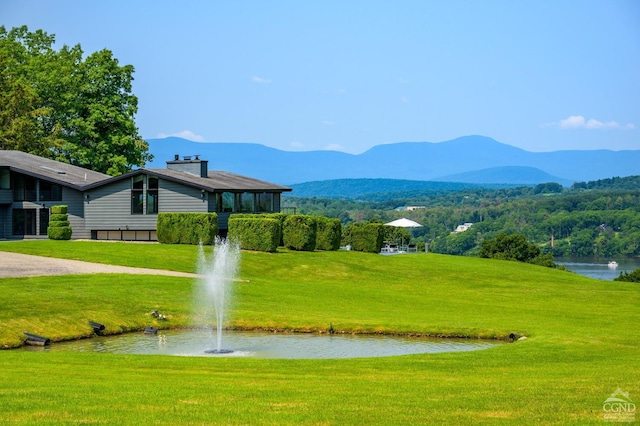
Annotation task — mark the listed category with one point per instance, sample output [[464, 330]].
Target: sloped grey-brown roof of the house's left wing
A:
[[51, 170]]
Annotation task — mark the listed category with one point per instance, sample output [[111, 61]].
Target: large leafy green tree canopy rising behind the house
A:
[[61, 105]]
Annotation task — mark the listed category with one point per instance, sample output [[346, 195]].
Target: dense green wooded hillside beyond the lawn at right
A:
[[599, 218]]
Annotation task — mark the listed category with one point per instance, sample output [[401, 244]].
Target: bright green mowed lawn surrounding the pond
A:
[[583, 341]]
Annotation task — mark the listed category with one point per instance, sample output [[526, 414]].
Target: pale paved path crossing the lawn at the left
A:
[[26, 265]]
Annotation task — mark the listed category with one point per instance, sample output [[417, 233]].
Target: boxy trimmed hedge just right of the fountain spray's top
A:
[[255, 233]]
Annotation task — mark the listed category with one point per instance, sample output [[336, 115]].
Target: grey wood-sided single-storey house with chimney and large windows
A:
[[124, 207]]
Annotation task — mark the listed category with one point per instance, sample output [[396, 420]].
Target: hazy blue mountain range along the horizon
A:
[[468, 159]]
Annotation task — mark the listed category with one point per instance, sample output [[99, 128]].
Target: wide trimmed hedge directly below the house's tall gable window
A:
[[187, 228]]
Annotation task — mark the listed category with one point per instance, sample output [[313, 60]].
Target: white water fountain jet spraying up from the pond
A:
[[216, 277]]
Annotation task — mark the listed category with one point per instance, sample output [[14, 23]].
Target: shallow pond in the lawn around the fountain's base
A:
[[266, 345]]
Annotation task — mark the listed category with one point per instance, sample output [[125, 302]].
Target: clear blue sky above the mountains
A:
[[348, 75]]
